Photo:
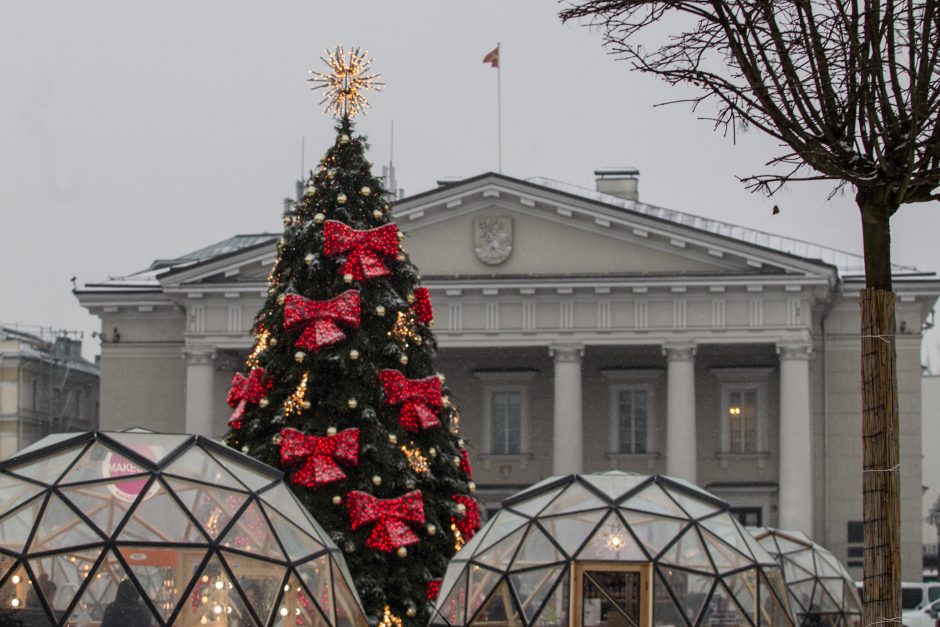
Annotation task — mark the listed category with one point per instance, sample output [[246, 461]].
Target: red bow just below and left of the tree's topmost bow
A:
[[321, 318]]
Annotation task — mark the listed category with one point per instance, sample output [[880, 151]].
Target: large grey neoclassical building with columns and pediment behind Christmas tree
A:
[[580, 330]]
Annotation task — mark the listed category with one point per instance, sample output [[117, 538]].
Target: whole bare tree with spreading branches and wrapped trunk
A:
[[851, 90]]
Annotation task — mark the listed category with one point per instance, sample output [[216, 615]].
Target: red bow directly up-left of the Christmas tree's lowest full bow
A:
[[319, 455]]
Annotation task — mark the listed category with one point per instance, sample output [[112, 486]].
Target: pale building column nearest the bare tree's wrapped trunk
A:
[[796, 442]]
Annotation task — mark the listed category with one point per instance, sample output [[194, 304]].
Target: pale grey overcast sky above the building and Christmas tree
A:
[[131, 131]]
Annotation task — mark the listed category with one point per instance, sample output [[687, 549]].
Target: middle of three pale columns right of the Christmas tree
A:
[[681, 442]]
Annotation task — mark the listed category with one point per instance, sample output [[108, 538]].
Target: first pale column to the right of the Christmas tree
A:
[[567, 455]]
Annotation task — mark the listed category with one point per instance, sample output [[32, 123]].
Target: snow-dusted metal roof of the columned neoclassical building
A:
[[848, 264]]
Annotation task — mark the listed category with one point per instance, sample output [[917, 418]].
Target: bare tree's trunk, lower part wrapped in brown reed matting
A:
[[880, 425]]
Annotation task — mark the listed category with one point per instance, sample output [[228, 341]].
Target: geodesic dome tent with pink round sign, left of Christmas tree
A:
[[168, 529]]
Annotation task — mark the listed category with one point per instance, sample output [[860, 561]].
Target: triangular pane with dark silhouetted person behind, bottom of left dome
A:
[[102, 590]]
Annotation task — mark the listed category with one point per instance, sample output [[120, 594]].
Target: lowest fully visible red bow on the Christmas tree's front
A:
[[390, 516]]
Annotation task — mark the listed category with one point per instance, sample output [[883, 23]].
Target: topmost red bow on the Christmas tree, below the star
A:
[[364, 249]]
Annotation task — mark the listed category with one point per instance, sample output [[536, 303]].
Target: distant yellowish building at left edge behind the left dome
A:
[[45, 387]]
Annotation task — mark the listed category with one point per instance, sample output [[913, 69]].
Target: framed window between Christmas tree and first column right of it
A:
[[506, 411]]
